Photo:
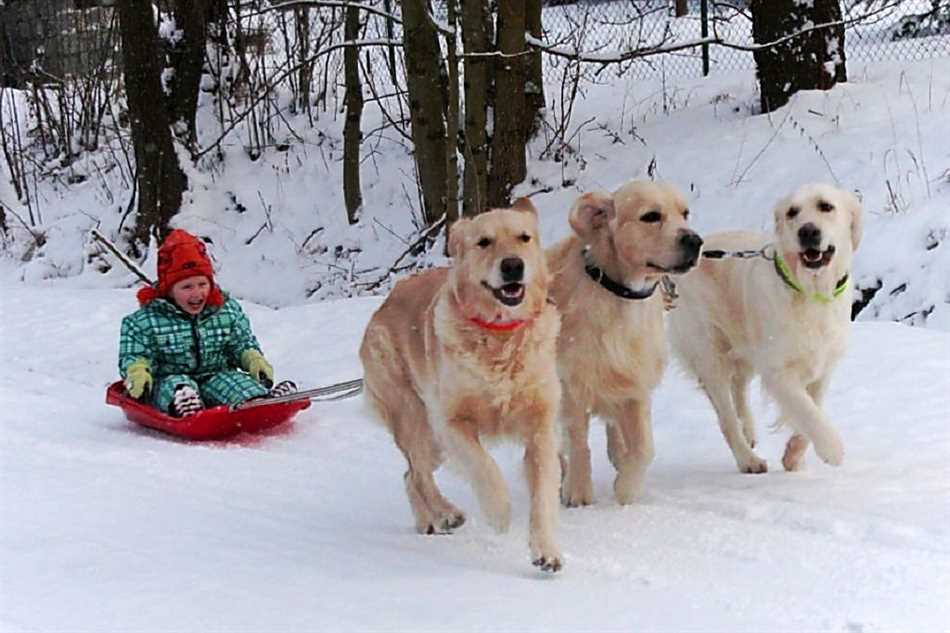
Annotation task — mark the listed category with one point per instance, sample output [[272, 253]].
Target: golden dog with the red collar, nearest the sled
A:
[[456, 356]]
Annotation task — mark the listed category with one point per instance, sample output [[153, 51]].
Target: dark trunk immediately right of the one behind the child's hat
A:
[[188, 56]]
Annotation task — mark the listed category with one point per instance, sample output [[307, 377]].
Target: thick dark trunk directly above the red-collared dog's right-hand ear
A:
[[508, 166]]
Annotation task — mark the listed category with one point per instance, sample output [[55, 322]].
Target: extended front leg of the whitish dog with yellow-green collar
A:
[[801, 408]]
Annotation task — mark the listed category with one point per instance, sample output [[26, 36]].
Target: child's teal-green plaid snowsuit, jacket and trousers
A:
[[203, 351]]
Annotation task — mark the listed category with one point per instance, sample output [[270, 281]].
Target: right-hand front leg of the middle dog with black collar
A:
[[633, 421]]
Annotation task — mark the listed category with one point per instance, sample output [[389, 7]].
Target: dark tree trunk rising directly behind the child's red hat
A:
[[159, 178]]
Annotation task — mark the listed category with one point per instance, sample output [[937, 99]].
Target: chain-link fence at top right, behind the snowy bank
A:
[[878, 32]]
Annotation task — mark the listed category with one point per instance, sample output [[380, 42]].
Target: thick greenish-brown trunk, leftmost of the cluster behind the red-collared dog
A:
[[426, 106]]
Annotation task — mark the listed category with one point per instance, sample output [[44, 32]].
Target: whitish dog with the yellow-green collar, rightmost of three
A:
[[784, 319]]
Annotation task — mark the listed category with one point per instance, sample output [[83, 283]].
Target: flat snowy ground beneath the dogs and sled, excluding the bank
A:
[[109, 527]]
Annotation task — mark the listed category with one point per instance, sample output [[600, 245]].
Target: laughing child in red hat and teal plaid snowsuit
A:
[[191, 345]]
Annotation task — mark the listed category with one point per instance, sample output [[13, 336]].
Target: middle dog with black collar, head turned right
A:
[[612, 347]]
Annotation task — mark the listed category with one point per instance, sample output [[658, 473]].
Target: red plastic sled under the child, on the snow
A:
[[208, 424]]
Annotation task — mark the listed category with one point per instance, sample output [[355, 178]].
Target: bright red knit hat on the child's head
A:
[[181, 255]]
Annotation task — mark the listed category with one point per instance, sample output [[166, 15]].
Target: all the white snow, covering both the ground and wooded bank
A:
[[106, 526]]
